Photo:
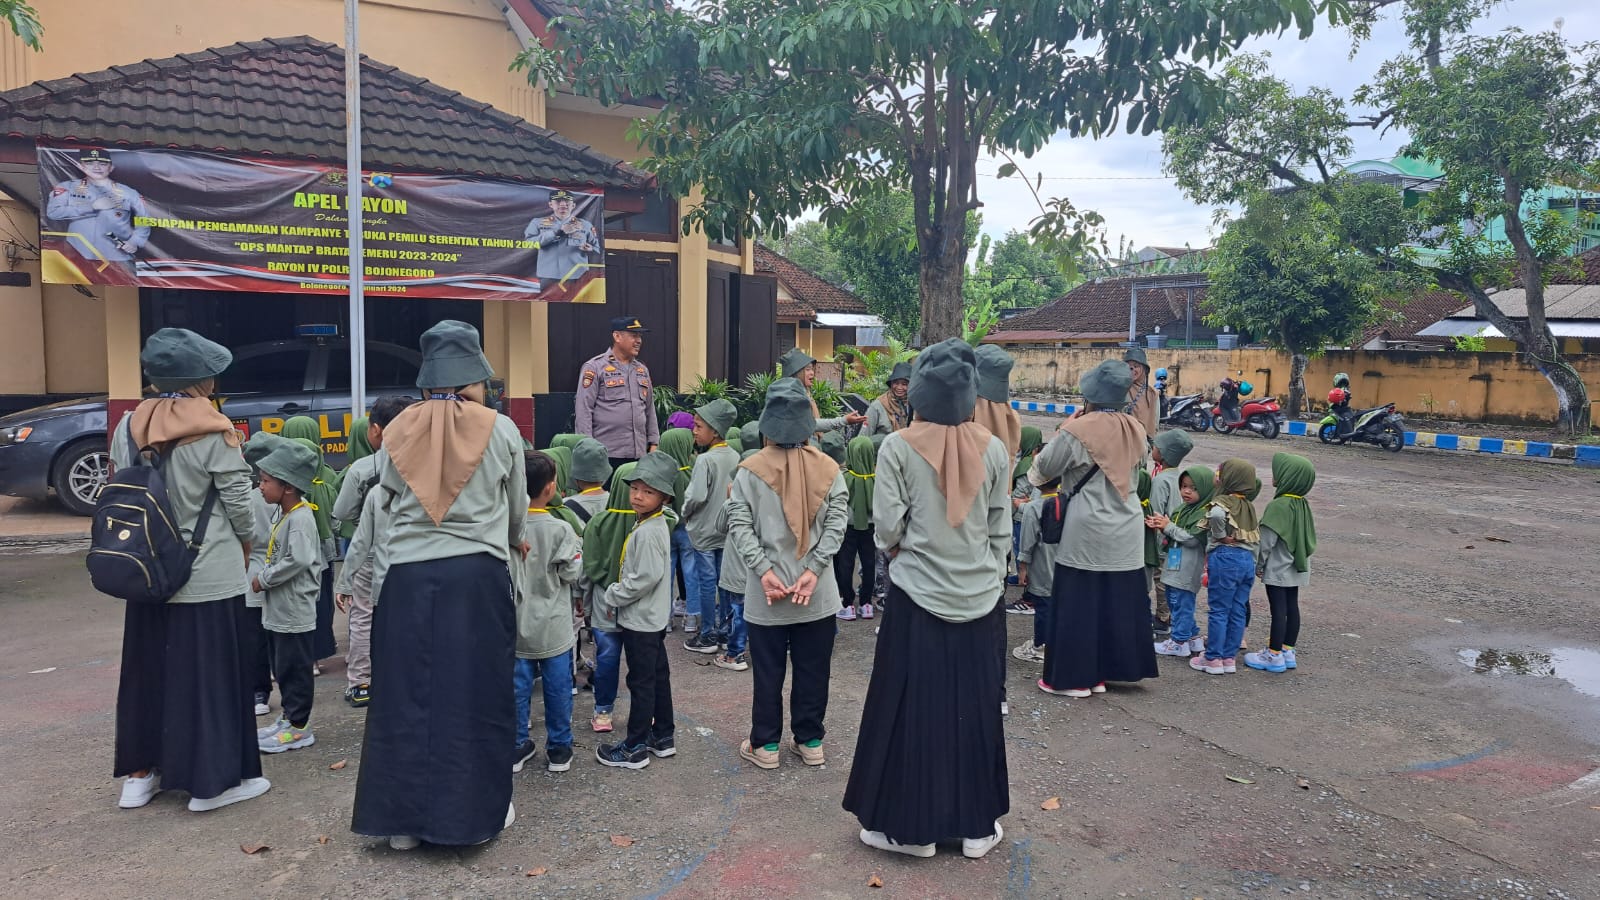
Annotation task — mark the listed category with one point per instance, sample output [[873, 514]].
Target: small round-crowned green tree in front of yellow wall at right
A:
[[1282, 273]]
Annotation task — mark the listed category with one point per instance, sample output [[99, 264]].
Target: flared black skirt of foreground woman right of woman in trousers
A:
[[930, 761]]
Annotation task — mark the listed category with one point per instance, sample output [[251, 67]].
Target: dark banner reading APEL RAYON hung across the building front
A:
[[206, 222]]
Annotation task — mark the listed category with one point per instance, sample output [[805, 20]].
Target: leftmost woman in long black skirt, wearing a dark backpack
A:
[[185, 720]]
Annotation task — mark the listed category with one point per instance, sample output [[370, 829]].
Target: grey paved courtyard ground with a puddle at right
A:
[[1441, 739]]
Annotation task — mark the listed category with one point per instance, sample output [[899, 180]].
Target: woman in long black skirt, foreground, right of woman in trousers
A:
[[930, 761]]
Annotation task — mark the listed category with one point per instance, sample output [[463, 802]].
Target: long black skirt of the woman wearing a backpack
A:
[[183, 697]]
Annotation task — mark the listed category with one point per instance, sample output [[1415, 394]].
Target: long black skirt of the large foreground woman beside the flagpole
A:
[[436, 763]]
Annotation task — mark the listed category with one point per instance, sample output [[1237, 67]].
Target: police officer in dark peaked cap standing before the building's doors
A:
[[615, 403]]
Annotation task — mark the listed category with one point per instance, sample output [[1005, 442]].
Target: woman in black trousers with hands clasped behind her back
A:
[[786, 518]]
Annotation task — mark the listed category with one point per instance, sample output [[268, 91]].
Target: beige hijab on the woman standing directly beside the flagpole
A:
[[436, 446]]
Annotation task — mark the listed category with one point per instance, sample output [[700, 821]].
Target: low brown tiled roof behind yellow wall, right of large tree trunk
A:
[[1095, 308]]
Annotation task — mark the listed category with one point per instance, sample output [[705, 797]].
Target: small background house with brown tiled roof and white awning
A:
[[815, 315]]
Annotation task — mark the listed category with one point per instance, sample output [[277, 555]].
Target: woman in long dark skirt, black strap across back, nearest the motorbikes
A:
[[1102, 614]]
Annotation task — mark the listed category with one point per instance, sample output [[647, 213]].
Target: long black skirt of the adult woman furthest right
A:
[[1100, 629]]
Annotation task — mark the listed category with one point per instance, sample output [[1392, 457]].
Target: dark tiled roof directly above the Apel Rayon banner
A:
[[286, 98]]
